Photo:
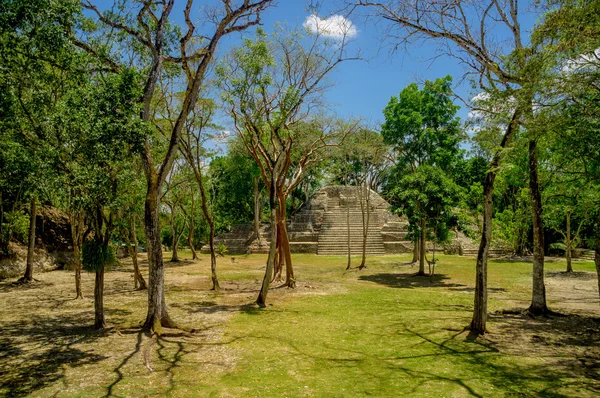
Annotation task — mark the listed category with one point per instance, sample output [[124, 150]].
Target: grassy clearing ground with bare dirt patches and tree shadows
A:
[[380, 332]]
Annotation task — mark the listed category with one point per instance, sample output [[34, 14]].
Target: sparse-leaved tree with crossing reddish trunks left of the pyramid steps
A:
[[271, 88]]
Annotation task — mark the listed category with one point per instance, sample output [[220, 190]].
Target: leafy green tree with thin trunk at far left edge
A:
[[34, 47]]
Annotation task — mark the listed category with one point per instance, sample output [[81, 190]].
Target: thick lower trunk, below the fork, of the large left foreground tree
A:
[[157, 315]]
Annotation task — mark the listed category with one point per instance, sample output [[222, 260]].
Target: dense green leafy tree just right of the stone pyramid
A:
[[422, 126]]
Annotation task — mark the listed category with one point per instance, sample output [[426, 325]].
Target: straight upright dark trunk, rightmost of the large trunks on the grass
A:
[[538, 299]]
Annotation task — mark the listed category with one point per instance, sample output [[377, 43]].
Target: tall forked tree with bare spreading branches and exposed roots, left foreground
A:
[[149, 25]]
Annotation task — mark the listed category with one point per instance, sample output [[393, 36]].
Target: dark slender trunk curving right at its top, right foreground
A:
[[478, 323]]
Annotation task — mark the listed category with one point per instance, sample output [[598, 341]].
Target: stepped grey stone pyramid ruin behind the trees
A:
[[321, 227]]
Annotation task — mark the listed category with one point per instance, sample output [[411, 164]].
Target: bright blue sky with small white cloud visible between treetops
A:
[[363, 87]]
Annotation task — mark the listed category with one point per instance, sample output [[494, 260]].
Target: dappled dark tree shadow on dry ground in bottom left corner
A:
[[36, 352]]
